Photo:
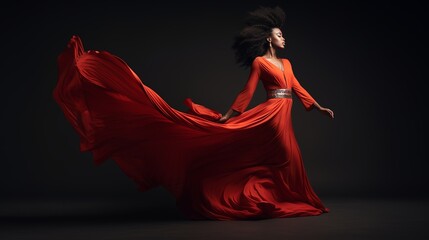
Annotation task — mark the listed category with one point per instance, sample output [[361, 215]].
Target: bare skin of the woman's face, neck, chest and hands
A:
[[276, 41]]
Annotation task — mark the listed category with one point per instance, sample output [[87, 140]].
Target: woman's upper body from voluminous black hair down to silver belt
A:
[[261, 37]]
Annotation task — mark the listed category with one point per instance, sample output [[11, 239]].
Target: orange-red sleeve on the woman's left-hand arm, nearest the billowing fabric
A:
[[243, 98]]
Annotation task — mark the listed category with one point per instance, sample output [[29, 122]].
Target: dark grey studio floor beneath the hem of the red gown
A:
[[350, 218]]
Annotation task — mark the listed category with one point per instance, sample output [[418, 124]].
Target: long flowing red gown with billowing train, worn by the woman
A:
[[247, 168]]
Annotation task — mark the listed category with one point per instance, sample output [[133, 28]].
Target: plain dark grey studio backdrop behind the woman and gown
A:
[[361, 59]]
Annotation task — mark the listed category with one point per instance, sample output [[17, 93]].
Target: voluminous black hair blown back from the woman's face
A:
[[251, 41]]
